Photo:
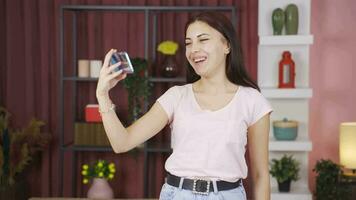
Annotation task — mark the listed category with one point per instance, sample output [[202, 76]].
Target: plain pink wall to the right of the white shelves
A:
[[332, 76]]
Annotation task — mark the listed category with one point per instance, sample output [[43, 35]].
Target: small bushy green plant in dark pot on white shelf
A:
[[285, 170]]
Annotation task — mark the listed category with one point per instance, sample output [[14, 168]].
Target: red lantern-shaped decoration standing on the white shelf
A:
[[286, 71]]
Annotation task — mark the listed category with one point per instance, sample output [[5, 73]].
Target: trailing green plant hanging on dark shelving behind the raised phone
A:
[[138, 88]]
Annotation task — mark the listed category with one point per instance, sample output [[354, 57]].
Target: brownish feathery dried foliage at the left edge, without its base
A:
[[18, 147]]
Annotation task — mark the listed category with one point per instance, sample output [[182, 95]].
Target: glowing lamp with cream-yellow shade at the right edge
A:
[[348, 146]]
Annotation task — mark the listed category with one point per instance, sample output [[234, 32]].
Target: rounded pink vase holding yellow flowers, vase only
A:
[[100, 189]]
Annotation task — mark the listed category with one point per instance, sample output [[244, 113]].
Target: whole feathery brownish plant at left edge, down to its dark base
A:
[[19, 148]]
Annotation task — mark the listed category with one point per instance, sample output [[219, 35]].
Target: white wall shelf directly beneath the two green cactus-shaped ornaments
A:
[[287, 40]]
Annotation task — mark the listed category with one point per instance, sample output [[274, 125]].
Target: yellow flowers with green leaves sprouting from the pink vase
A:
[[100, 169]]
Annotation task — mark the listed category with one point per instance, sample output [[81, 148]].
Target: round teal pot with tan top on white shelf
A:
[[285, 130]]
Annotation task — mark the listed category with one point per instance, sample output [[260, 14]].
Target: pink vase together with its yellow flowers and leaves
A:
[[100, 172]]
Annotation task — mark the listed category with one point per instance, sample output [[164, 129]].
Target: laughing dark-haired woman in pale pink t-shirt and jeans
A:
[[211, 119]]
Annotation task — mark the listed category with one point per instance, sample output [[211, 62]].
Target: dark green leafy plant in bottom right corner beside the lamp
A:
[[327, 181]]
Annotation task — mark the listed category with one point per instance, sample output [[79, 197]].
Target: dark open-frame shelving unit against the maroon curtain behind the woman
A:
[[150, 148]]
